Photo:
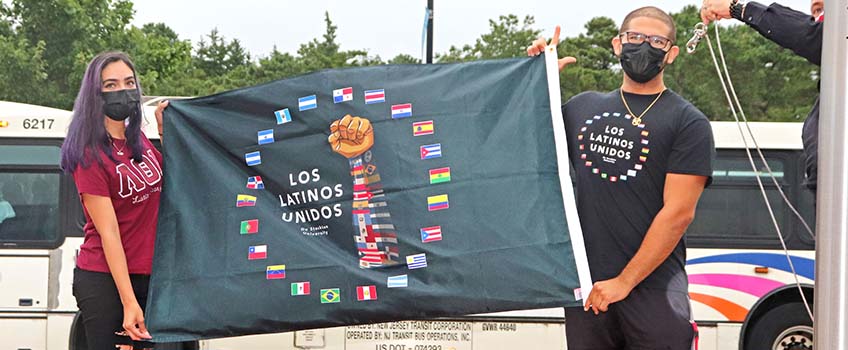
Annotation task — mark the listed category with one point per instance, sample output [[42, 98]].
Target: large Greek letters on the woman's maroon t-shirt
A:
[[136, 177]]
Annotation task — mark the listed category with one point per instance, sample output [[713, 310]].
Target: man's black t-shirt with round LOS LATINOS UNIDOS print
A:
[[621, 170]]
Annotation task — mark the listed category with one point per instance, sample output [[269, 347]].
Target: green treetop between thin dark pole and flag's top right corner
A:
[[508, 37]]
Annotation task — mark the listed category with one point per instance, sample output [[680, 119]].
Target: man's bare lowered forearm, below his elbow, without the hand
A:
[[663, 236]]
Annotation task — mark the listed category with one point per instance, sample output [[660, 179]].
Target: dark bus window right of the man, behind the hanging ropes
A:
[[732, 208]]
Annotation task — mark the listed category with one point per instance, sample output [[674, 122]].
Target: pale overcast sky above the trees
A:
[[383, 27]]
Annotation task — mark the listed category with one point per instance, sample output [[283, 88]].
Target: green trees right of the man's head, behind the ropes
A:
[[772, 83]]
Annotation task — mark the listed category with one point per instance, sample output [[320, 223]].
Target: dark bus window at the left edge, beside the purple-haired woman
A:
[[29, 194]]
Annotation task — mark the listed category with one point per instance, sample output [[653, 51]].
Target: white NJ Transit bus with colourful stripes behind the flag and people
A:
[[738, 281]]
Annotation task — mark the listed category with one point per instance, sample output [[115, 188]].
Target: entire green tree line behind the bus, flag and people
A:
[[46, 44]]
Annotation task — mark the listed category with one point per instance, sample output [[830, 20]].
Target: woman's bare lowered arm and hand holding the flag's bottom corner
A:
[[103, 216]]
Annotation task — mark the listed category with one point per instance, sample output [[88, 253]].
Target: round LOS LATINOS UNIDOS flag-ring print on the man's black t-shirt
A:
[[611, 147]]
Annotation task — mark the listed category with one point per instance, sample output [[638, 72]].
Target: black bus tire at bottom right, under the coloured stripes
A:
[[785, 327]]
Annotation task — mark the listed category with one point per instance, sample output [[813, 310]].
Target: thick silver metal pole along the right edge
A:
[[831, 293]]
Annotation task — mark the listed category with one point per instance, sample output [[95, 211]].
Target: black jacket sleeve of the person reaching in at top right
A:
[[788, 28]]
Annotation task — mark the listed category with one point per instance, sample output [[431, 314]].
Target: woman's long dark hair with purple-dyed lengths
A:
[[87, 132]]
